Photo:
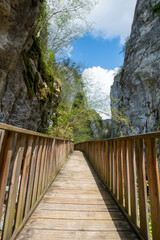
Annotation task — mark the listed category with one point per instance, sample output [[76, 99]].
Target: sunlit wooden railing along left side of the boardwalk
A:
[[29, 162]]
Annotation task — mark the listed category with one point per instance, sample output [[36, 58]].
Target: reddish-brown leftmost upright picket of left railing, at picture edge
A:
[[5, 159]]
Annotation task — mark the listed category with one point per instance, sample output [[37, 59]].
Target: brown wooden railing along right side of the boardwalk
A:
[[128, 167]]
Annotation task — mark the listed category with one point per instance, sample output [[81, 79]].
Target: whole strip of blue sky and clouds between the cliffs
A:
[[99, 51]]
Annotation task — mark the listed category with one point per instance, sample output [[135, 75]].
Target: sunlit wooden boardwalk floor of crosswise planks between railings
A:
[[77, 207]]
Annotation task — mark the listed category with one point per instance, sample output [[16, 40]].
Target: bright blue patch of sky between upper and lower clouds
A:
[[90, 51]]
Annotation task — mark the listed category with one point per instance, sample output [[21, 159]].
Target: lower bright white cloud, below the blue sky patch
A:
[[100, 81]]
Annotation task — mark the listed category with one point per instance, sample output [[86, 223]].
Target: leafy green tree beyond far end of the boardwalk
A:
[[74, 117]]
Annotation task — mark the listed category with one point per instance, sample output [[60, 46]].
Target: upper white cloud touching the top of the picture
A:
[[113, 18]]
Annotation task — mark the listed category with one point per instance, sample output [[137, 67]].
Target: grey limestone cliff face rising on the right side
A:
[[138, 86]]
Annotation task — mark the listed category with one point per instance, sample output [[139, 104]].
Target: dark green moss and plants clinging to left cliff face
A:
[[46, 67]]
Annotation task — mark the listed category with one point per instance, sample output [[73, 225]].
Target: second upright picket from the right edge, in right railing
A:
[[142, 189]]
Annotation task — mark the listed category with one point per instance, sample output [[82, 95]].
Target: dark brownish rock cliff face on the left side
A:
[[18, 20]]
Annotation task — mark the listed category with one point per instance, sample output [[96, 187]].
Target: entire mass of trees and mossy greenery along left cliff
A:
[[77, 113]]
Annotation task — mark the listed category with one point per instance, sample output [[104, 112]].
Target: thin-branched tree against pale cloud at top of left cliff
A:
[[65, 20]]
